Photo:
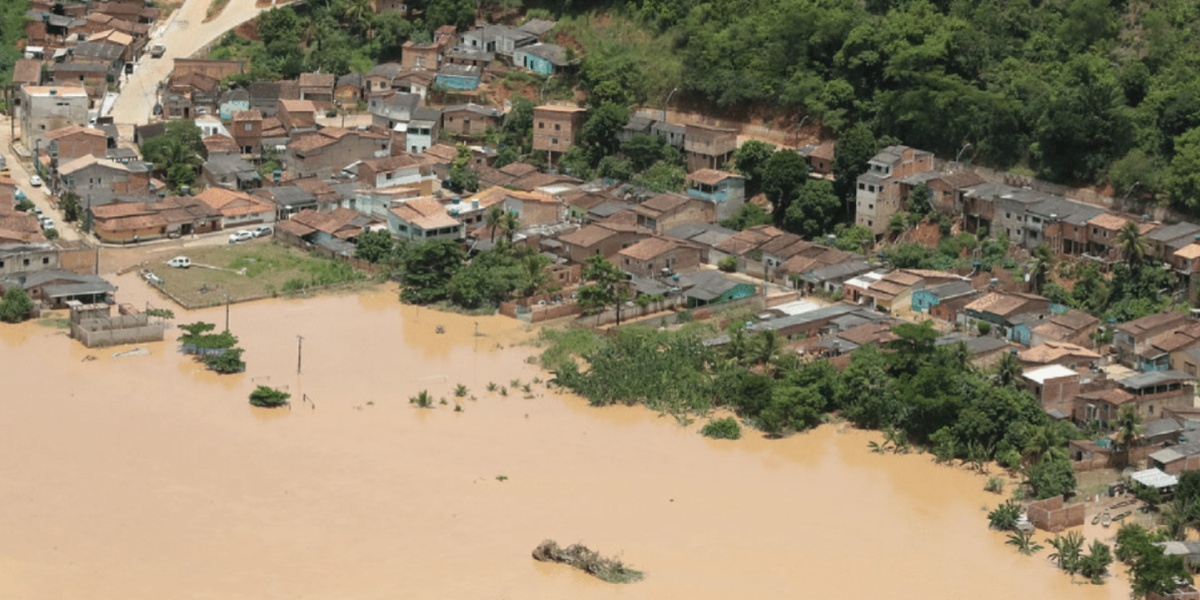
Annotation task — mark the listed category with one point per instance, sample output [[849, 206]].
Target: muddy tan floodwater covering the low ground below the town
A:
[[145, 477]]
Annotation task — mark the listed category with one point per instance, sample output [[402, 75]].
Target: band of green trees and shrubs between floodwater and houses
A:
[[911, 389]]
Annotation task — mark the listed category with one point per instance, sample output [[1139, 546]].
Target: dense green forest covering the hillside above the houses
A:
[[1076, 91]]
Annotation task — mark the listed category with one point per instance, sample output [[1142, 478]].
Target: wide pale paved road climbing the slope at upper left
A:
[[184, 35]]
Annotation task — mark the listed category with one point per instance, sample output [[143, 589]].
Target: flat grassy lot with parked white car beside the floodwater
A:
[[250, 271]]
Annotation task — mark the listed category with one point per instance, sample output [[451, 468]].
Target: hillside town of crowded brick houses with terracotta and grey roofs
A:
[[407, 149]]
